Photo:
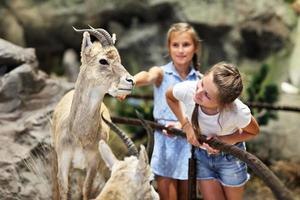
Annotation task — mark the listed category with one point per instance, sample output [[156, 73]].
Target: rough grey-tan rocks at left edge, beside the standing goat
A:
[[27, 98]]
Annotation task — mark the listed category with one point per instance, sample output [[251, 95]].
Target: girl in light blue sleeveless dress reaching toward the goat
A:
[[170, 156]]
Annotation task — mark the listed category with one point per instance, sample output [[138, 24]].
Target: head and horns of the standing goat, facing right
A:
[[101, 63]]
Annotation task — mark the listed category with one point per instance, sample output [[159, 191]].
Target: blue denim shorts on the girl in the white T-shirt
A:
[[225, 168]]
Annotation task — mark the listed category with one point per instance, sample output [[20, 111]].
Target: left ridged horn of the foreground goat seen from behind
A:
[[128, 142]]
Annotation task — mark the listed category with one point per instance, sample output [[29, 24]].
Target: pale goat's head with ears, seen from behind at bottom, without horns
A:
[[130, 178]]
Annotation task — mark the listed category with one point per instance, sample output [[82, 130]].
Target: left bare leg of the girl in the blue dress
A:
[[167, 188]]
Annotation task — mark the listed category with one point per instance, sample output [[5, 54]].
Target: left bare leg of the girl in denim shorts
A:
[[211, 190]]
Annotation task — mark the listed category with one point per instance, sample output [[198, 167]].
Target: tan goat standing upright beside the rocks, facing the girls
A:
[[77, 127]]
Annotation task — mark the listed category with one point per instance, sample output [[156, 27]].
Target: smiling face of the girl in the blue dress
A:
[[181, 48]]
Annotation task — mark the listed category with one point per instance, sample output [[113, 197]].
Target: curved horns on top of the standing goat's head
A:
[[102, 35]]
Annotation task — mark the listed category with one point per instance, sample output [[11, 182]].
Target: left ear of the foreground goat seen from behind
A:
[[107, 154]]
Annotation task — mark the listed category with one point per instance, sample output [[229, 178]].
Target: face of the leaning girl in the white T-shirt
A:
[[207, 94]]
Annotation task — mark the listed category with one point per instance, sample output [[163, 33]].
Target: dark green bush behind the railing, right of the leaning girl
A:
[[260, 91]]
